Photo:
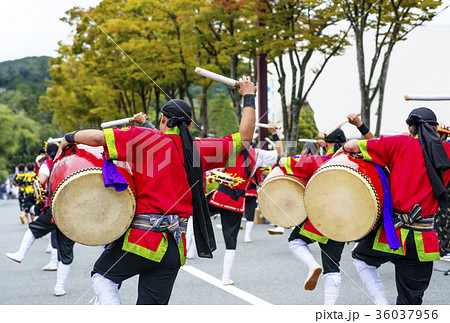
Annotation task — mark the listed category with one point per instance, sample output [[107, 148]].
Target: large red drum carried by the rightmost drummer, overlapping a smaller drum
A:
[[344, 197]]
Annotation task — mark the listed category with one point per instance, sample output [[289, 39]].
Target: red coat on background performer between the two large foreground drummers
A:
[[234, 199]]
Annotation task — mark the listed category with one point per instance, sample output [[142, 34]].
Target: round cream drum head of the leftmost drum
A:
[[89, 213]]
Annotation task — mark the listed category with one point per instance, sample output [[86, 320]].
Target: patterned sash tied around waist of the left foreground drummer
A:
[[157, 222]]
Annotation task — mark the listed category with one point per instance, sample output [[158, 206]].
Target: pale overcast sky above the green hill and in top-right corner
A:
[[33, 27]]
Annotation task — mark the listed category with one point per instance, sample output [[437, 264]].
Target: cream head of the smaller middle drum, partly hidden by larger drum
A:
[[280, 200]]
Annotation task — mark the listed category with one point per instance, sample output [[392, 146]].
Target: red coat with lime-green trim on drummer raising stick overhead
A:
[[161, 180]]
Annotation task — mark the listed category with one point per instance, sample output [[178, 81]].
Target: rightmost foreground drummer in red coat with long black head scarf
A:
[[418, 166]]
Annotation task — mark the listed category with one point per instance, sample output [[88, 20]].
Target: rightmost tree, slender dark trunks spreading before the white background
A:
[[384, 23]]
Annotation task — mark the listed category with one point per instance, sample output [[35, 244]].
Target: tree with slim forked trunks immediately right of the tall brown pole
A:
[[294, 33]]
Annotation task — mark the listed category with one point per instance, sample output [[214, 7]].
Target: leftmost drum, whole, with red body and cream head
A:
[[83, 208]]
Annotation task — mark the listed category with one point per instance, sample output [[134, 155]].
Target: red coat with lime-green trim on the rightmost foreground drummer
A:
[[409, 185]]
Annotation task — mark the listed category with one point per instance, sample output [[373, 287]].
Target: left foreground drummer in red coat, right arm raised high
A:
[[168, 176]]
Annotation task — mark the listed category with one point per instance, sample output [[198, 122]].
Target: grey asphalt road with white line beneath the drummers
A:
[[264, 272]]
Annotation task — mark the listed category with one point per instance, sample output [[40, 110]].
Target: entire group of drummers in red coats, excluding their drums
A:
[[154, 246]]
